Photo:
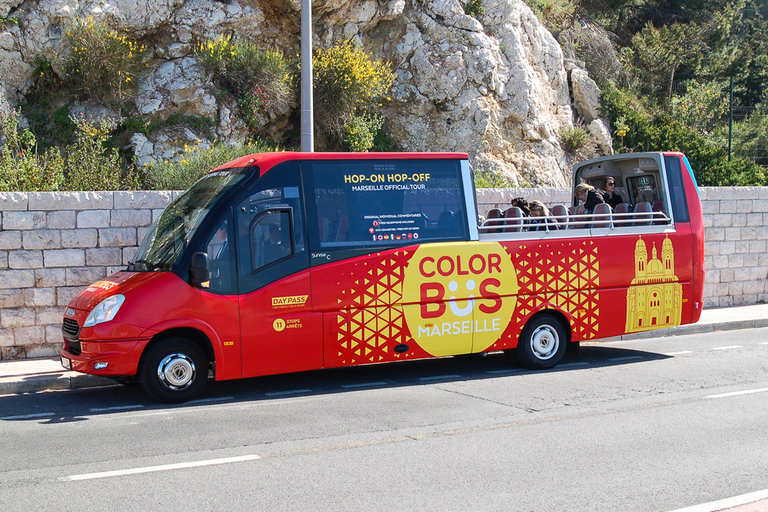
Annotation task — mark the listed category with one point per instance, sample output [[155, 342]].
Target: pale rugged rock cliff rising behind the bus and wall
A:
[[494, 84]]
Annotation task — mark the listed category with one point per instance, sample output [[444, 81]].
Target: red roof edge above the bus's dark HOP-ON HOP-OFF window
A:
[[265, 161]]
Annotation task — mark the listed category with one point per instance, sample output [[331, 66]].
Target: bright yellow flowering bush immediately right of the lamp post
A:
[[347, 83]]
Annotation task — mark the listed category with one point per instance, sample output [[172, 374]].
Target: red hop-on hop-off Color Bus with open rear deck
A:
[[285, 262]]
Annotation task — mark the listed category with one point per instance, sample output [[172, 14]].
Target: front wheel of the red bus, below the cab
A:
[[174, 370]]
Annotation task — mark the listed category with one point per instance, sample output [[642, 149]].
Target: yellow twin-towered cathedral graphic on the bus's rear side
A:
[[655, 297]]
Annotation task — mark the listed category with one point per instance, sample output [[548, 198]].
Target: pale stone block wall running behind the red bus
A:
[[52, 244]]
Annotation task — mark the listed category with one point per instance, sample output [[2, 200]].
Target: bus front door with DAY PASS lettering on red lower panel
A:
[[279, 331]]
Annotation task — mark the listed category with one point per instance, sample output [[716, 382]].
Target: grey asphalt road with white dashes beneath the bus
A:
[[647, 425]]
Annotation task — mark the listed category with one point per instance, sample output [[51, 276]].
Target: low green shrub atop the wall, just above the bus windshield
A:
[[181, 174]]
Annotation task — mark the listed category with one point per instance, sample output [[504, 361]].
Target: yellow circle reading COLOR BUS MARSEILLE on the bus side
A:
[[459, 298]]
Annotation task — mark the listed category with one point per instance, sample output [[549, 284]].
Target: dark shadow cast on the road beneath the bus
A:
[[75, 405]]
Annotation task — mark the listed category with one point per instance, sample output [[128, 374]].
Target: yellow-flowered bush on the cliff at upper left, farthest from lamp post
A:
[[103, 64]]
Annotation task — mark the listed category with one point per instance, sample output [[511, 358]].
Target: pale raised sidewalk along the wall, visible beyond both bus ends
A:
[[34, 375]]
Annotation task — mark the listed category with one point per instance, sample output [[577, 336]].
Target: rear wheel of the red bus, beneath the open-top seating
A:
[[542, 343]]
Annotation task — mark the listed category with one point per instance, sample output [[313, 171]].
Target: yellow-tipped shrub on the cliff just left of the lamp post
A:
[[257, 77]]
